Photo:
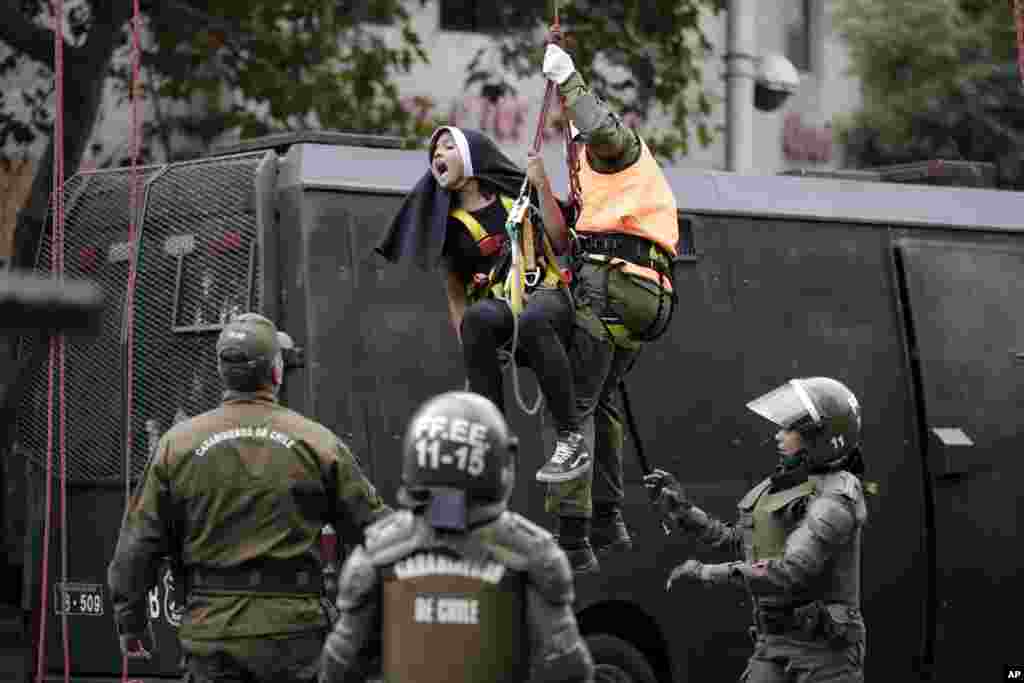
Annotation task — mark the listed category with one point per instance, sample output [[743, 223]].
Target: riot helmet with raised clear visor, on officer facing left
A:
[[824, 411]]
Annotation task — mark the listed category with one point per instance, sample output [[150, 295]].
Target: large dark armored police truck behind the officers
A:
[[909, 294]]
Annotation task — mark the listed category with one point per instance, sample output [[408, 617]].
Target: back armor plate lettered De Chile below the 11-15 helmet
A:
[[449, 619]]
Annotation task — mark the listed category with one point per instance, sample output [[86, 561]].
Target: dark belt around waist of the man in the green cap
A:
[[298, 576]]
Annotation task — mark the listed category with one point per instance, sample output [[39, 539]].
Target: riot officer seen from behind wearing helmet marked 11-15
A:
[[455, 586]]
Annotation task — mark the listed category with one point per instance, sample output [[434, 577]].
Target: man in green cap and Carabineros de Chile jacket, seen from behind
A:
[[238, 497]]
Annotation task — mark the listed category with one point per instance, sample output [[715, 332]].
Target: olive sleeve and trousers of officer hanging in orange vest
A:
[[604, 353]]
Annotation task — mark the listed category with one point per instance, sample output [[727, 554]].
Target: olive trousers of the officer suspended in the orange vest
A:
[[603, 352]]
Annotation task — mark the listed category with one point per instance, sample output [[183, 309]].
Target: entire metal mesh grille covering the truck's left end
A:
[[197, 267]]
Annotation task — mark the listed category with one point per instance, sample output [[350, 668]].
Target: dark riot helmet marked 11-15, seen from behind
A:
[[458, 461]]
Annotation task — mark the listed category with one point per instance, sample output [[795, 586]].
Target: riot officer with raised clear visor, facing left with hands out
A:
[[799, 534]]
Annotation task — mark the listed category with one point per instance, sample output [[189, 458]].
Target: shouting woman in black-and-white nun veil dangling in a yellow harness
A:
[[456, 218]]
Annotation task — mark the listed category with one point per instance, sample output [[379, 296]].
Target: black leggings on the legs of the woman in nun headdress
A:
[[545, 328]]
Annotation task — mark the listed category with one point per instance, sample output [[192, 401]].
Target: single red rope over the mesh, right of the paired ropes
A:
[[133, 267]]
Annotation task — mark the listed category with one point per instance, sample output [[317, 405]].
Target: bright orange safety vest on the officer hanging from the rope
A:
[[635, 201]]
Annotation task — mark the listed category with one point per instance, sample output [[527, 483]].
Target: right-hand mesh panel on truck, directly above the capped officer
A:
[[197, 269]]
